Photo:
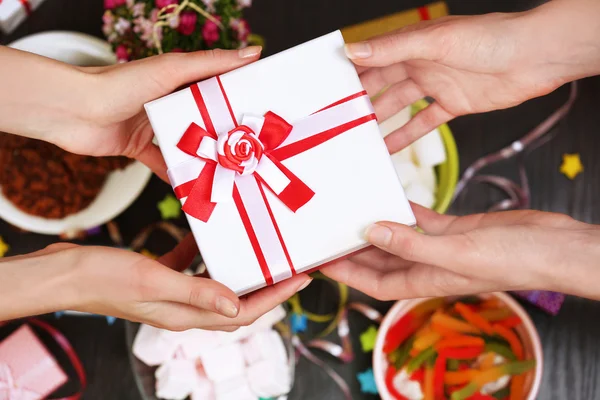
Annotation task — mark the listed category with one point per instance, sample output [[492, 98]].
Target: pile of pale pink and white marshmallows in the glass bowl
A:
[[249, 364]]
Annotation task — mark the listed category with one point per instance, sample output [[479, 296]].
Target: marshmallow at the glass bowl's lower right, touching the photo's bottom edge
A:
[[269, 378]]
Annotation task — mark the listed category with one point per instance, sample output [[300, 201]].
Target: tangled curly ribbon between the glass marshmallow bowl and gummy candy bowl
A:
[[343, 352]]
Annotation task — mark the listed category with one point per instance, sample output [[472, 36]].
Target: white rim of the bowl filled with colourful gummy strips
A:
[[526, 331]]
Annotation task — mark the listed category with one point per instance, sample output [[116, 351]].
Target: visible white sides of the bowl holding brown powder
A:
[[122, 187]]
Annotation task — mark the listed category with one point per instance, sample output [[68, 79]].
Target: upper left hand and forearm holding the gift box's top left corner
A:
[[98, 111]]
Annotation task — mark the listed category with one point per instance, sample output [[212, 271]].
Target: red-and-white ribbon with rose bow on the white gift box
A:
[[236, 162]]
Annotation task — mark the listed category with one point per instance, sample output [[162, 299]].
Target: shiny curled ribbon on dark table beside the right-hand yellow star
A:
[[519, 194]]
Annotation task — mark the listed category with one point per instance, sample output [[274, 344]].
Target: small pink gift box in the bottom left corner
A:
[[27, 370]]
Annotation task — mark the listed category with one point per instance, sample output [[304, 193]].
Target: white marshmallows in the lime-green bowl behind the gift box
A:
[[415, 164]]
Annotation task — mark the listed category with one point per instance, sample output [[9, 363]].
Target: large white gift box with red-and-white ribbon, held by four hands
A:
[[267, 224]]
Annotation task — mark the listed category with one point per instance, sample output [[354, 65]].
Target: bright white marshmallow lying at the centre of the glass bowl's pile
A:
[[224, 362]]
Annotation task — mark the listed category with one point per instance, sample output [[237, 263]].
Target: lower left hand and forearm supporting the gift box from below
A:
[[128, 285]]
